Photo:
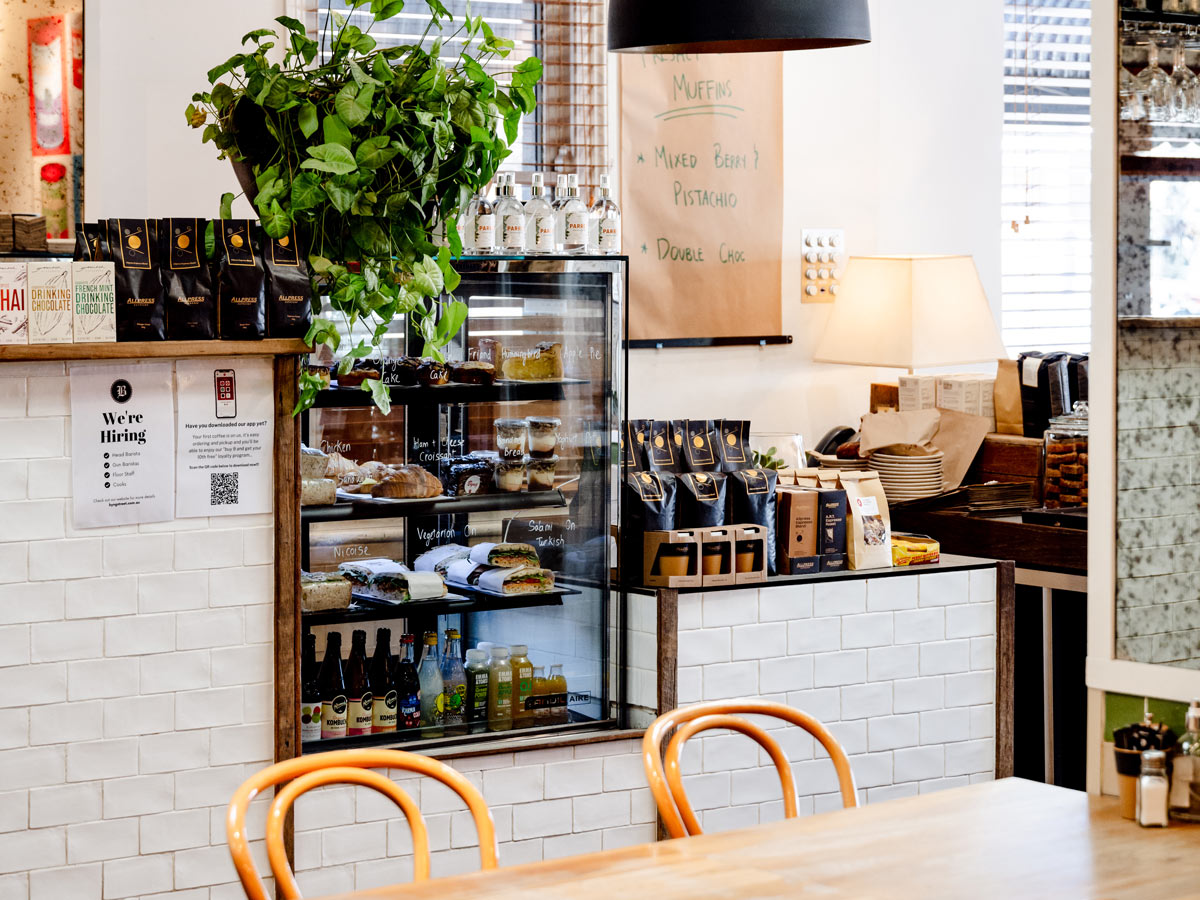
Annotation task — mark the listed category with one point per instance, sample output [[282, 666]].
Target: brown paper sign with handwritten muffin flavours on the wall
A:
[[703, 182]]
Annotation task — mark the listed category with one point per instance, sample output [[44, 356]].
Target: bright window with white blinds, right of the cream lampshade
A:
[[1047, 247]]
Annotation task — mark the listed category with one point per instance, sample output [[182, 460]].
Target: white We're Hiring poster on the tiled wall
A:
[[123, 445]]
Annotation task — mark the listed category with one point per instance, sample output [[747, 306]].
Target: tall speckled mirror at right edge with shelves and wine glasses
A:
[[1159, 341]]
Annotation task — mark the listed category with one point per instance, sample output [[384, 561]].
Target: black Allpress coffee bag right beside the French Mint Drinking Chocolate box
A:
[[141, 308]]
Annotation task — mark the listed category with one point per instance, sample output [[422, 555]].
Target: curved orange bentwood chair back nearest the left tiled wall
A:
[[355, 767]]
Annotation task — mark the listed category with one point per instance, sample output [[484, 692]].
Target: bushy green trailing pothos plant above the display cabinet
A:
[[370, 155]]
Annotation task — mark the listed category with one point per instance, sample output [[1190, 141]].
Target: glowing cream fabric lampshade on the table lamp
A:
[[911, 313]]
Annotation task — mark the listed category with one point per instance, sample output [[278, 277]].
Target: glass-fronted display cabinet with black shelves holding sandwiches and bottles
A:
[[525, 460]]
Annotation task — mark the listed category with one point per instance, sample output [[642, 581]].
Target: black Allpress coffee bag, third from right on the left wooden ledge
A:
[[188, 281]]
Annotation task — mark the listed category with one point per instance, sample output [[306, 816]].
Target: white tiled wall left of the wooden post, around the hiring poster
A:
[[134, 662]]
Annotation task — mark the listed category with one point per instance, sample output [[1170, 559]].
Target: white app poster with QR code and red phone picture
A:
[[225, 436]]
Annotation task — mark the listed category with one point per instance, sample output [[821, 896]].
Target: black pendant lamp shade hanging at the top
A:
[[736, 26]]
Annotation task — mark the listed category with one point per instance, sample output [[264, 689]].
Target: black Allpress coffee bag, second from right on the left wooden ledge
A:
[[241, 281]]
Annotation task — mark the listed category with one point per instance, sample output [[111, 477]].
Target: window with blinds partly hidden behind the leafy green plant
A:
[[568, 133]]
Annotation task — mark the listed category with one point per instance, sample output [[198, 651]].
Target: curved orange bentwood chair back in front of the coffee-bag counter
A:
[[688, 722]]
